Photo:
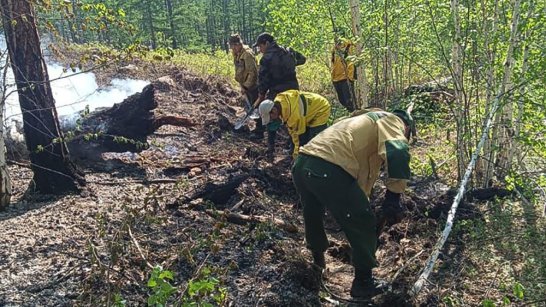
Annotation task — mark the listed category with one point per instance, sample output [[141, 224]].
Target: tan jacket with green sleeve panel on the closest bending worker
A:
[[362, 144]]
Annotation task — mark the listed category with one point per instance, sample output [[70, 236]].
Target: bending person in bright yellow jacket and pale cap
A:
[[305, 114]]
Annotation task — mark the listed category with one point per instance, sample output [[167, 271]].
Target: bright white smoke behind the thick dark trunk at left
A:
[[73, 92]]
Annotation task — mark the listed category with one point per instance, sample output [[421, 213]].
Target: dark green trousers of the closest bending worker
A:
[[321, 185]]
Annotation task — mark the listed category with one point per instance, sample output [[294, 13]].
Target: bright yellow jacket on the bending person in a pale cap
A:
[[298, 113]]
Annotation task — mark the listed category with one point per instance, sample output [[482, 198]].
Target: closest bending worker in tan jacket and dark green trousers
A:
[[337, 170]]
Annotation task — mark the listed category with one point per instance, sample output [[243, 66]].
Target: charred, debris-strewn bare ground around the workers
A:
[[165, 206]]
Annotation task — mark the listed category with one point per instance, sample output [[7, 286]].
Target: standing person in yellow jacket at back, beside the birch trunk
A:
[[344, 73]]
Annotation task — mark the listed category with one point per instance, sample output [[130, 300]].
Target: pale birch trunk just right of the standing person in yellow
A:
[[362, 83]]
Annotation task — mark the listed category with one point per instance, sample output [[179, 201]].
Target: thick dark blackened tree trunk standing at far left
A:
[[53, 171]]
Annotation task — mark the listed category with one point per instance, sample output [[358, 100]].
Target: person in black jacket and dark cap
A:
[[276, 74]]
